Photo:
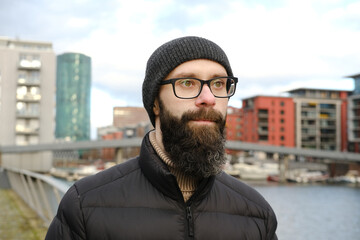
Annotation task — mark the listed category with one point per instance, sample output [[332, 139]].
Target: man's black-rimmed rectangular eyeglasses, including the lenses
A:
[[187, 88]]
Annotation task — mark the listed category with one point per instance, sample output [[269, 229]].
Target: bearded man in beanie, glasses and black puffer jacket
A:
[[175, 188]]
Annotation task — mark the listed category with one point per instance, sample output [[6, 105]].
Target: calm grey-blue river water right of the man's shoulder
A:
[[314, 212]]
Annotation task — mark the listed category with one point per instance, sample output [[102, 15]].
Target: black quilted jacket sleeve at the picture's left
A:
[[68, 222]]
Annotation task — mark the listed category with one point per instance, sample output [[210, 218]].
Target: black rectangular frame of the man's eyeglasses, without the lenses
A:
[[207, 82]]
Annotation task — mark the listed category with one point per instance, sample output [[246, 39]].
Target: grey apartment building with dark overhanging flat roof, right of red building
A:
[[320, 118]]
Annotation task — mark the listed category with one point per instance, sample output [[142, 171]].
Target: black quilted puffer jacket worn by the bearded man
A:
[[140, 199]]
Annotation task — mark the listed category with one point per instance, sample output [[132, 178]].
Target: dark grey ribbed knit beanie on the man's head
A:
[[170, 55]]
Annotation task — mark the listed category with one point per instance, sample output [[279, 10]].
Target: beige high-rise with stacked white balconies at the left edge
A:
[[27, 89]]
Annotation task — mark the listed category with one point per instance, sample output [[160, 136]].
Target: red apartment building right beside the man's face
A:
[[268, 120]]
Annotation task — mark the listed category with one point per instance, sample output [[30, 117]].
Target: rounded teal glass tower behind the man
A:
[[73, 85]]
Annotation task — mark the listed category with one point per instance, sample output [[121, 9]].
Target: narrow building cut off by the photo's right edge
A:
[[354, 116]]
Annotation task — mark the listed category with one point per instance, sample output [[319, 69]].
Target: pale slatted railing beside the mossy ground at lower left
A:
[[40, 192]]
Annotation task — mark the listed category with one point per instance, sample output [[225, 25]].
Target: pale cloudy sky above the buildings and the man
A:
[[273, 45]]
